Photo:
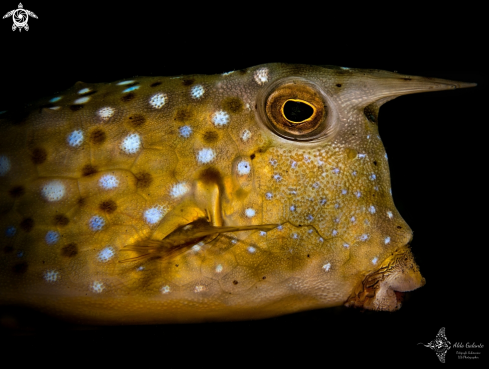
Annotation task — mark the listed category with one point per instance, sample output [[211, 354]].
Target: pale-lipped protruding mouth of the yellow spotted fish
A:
[[385, 288]]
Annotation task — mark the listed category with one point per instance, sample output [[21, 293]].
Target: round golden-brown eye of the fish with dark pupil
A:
[[295, 109]]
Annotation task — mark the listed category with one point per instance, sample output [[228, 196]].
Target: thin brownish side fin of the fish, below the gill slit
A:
[[183, 239]]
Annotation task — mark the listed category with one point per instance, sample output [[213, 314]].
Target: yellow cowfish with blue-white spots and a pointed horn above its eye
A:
[[245, 195]]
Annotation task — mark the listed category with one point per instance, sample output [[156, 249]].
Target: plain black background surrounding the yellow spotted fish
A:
[[435, 141]]
